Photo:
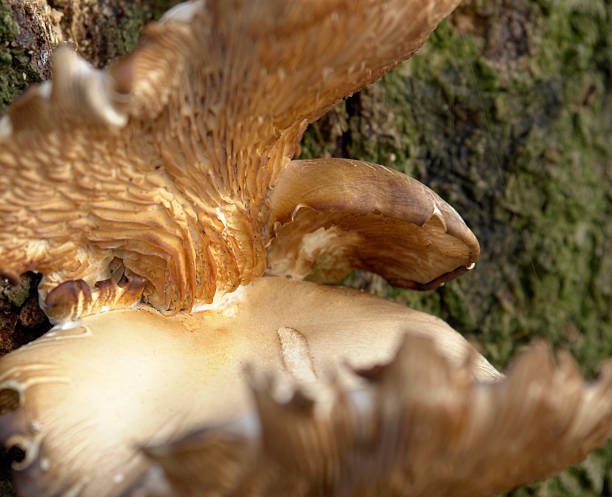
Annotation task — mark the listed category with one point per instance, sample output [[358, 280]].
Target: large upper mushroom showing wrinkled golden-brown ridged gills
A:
[[164, 161]]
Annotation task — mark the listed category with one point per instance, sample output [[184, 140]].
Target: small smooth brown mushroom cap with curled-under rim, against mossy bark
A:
[[329, 216]]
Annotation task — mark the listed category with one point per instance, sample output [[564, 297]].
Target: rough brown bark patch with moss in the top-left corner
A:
[[100, 30]]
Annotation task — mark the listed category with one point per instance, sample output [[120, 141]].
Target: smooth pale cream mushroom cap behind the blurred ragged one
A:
[[88, 396]]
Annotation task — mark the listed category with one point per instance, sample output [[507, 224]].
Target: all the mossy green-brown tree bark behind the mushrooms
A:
[[506, 112]]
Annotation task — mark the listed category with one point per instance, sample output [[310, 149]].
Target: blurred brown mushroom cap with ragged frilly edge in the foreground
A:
[[423, 427]]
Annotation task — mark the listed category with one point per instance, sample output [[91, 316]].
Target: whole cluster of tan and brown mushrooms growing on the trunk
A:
[[175, 234]]
